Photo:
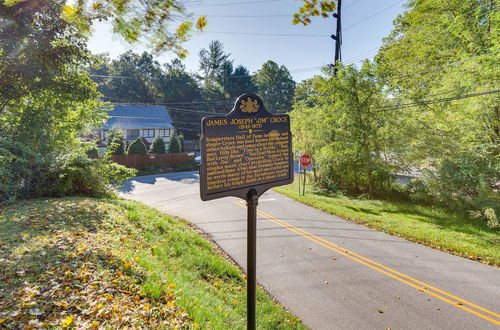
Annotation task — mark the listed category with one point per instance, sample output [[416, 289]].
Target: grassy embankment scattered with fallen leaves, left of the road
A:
[[79, 262]]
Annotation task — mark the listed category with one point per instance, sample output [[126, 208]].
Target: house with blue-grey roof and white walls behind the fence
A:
[[147, 122]]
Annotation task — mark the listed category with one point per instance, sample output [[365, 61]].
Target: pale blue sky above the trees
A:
[[255, 31]]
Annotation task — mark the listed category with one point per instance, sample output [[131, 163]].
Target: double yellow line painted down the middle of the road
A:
[[419, 285]]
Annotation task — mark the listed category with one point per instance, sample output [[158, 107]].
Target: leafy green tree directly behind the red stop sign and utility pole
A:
[[350, 152]]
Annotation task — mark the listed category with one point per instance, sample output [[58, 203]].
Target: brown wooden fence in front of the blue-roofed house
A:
[[139, 161]]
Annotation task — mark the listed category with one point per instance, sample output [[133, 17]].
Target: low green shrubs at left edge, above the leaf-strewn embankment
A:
[[26, 173]]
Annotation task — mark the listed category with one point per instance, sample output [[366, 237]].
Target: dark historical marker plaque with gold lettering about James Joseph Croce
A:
[[247, 148]]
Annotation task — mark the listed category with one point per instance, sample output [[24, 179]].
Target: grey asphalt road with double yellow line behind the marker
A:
[[334, 274]]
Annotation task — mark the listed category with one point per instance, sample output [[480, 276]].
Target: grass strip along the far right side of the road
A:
[[431, 226]]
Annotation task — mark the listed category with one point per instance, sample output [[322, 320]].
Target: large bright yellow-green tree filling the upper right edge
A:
[[446, 50]]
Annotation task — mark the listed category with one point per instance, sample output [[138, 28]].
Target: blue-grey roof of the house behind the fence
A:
[[135, 117]]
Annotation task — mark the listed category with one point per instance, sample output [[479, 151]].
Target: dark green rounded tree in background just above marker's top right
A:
[[275, 87]]
